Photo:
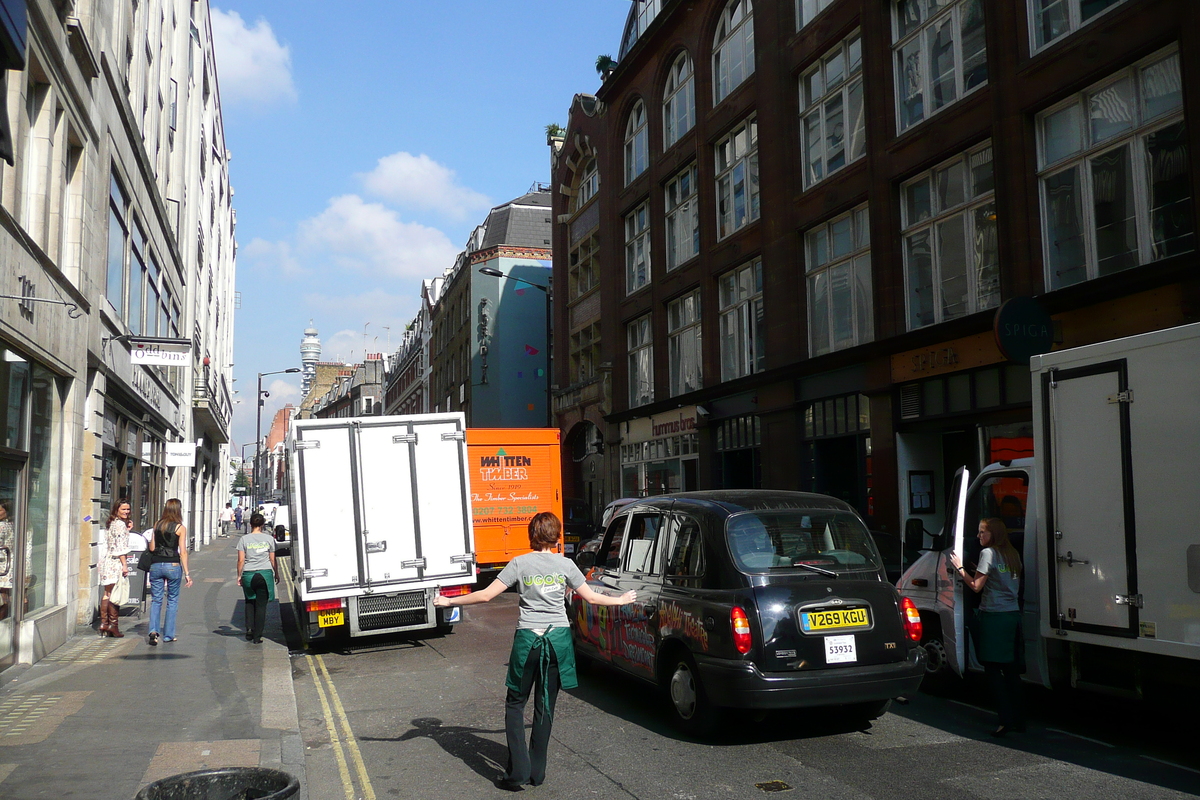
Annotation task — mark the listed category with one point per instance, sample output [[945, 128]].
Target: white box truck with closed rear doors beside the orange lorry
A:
[[381, 522]]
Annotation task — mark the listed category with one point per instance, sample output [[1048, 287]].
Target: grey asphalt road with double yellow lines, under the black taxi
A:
[[423, 718]]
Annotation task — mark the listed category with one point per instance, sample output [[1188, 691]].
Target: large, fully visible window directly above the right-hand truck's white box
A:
[[1114, 175]]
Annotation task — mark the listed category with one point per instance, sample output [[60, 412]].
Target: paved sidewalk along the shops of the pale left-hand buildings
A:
[[101, 718]]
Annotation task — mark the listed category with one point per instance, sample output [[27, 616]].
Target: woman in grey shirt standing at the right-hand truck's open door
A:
[[998, 578]]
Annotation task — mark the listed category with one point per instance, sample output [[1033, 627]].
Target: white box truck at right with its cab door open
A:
[[1105, 516]]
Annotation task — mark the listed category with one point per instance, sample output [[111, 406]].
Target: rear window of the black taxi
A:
[[794, 539]]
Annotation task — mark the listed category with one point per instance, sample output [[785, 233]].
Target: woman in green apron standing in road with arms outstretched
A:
[[543, 655]]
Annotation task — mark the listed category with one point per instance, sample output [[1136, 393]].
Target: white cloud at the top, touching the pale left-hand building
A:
[[253, 68]]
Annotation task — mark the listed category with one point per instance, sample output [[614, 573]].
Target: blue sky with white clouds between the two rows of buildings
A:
[[369, 140]]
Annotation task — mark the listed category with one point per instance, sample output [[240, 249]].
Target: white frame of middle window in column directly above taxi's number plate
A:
[[818, 107]]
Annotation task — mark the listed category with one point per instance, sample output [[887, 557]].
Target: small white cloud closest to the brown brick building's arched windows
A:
[[421, 183]]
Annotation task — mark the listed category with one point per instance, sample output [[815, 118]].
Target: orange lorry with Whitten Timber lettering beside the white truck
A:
[[515, 473]]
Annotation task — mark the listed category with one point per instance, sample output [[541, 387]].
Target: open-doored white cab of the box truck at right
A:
[[1003, 490]]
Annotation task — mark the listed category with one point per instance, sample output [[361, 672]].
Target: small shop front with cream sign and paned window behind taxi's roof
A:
[[661, 454]]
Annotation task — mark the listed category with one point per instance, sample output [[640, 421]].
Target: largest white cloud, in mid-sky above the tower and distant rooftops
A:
[[371, 238]]
